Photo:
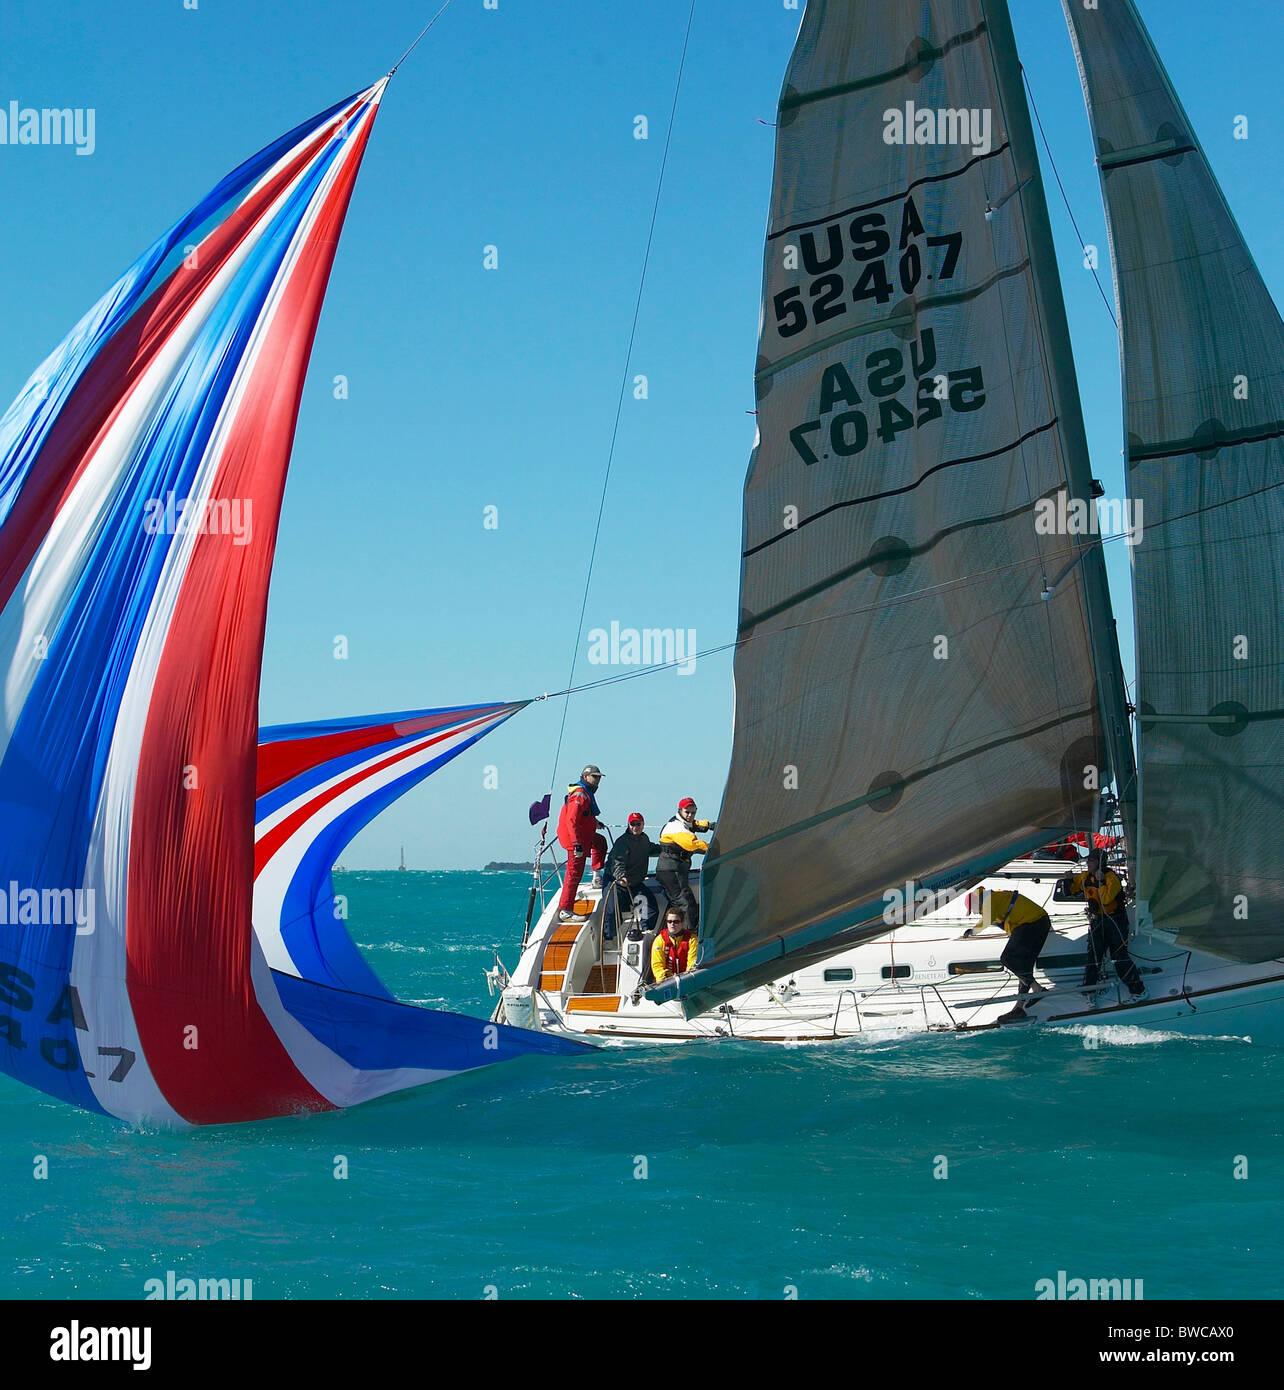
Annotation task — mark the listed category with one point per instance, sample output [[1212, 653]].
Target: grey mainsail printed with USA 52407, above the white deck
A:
[[926, 653]]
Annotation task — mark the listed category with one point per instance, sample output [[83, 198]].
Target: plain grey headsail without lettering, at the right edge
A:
[[1203, 352]]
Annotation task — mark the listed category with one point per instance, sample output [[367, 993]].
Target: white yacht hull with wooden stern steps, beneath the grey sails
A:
[[926, 976]]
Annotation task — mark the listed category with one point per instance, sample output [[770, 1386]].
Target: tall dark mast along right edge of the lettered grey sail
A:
[[1060, 359]]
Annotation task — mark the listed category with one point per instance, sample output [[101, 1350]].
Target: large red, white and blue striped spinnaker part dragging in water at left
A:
[[141, 480]]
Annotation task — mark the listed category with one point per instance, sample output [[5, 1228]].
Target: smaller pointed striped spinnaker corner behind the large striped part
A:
[[319, 786]]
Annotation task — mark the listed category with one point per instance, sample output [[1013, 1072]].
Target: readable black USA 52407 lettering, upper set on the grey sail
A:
[[869, 243]]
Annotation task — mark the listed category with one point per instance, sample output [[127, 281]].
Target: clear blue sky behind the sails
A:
[[473, 389]]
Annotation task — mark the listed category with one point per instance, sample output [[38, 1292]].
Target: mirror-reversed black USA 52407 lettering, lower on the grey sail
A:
[[886, 377]]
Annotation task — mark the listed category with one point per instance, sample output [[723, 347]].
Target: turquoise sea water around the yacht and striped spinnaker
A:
[[766, 1167]]
